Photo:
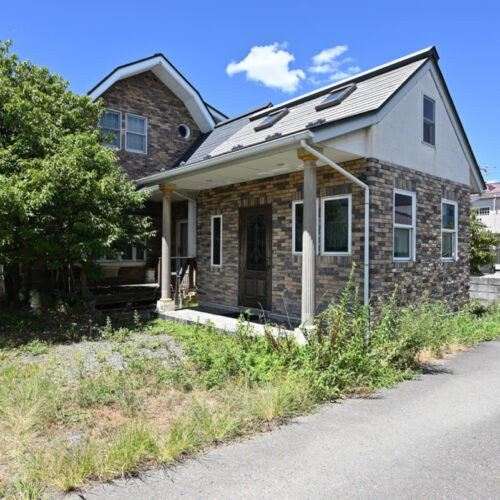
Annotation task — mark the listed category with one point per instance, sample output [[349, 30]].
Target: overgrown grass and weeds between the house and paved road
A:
[[59, 433]]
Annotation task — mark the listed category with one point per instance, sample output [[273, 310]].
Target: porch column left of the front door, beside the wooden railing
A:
[[166, 303]]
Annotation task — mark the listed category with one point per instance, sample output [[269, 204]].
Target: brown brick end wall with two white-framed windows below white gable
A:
[[447, 281]]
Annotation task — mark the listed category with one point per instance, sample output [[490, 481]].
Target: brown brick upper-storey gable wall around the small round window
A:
[[145, 95]]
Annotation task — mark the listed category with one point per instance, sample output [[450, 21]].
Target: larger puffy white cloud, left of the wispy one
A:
[[269, 65]]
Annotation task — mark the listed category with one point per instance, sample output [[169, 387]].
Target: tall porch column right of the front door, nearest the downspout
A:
[[309, 240]]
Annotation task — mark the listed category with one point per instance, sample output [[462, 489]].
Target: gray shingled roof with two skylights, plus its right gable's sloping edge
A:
[[374, 90]]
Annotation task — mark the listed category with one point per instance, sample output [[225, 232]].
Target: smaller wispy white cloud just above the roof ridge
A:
[[327, 64]]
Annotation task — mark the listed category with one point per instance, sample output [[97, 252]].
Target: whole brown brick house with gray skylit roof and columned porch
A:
[[278, 203]]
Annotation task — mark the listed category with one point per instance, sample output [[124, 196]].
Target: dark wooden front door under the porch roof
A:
[[255, 257]]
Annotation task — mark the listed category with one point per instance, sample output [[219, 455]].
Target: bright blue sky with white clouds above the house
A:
[[221, 45]]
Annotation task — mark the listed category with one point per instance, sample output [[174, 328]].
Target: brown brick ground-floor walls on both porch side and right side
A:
[[442, 280]]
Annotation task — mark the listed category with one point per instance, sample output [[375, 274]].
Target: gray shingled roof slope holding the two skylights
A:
[[373, 90]]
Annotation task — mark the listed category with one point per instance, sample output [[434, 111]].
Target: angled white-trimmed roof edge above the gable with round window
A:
[[205, 116]]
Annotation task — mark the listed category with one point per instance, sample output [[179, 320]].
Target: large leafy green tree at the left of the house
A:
[[63, 198]]
